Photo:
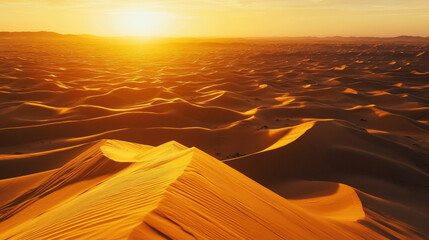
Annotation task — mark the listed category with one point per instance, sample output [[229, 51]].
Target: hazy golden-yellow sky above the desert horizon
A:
[[218, 18]]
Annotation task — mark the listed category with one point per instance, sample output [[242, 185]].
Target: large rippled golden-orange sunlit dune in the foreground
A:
[[119, 190]]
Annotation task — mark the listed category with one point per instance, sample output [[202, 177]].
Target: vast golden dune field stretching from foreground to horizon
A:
[[112, 138]]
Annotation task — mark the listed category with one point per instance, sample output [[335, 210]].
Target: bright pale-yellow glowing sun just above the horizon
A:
[[141, 23]]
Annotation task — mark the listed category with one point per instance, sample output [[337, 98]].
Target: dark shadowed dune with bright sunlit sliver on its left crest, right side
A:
[[328, 148]]
